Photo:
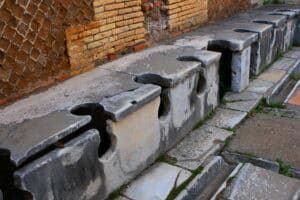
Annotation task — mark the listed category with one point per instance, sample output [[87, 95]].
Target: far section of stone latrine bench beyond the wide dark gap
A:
[[264, 33]]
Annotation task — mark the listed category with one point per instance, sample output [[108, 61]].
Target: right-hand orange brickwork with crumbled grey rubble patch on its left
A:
[[165, 19]]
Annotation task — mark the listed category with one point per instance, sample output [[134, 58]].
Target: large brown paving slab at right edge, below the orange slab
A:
[[269, 137]]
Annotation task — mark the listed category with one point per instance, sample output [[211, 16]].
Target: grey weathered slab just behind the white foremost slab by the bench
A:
[[201, 143]]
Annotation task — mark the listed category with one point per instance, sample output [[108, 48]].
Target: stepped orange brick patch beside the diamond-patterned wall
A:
[[118, 25]]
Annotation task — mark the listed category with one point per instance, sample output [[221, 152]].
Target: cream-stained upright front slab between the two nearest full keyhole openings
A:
[[136, 143]]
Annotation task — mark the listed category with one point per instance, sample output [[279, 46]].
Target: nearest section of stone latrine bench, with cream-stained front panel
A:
[[125, 114]]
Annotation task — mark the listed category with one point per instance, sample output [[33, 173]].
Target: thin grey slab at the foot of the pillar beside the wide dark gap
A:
[[242, 96]]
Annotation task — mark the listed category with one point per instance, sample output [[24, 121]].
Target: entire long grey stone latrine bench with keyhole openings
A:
[[86, 137]]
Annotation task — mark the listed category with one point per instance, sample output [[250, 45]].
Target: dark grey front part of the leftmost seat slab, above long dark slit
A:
[[28, 138]]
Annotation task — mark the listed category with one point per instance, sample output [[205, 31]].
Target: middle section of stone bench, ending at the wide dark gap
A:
[[179, 71]]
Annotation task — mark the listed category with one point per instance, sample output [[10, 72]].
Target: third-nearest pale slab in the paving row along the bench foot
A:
[[226, 118]]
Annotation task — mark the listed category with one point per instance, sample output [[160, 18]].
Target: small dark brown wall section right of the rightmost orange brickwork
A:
[[220, 9]]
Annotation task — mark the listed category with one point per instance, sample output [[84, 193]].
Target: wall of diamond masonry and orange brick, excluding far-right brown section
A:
[[45, 41]]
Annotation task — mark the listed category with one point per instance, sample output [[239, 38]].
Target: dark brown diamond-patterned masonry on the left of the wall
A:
[[32, 41]]
